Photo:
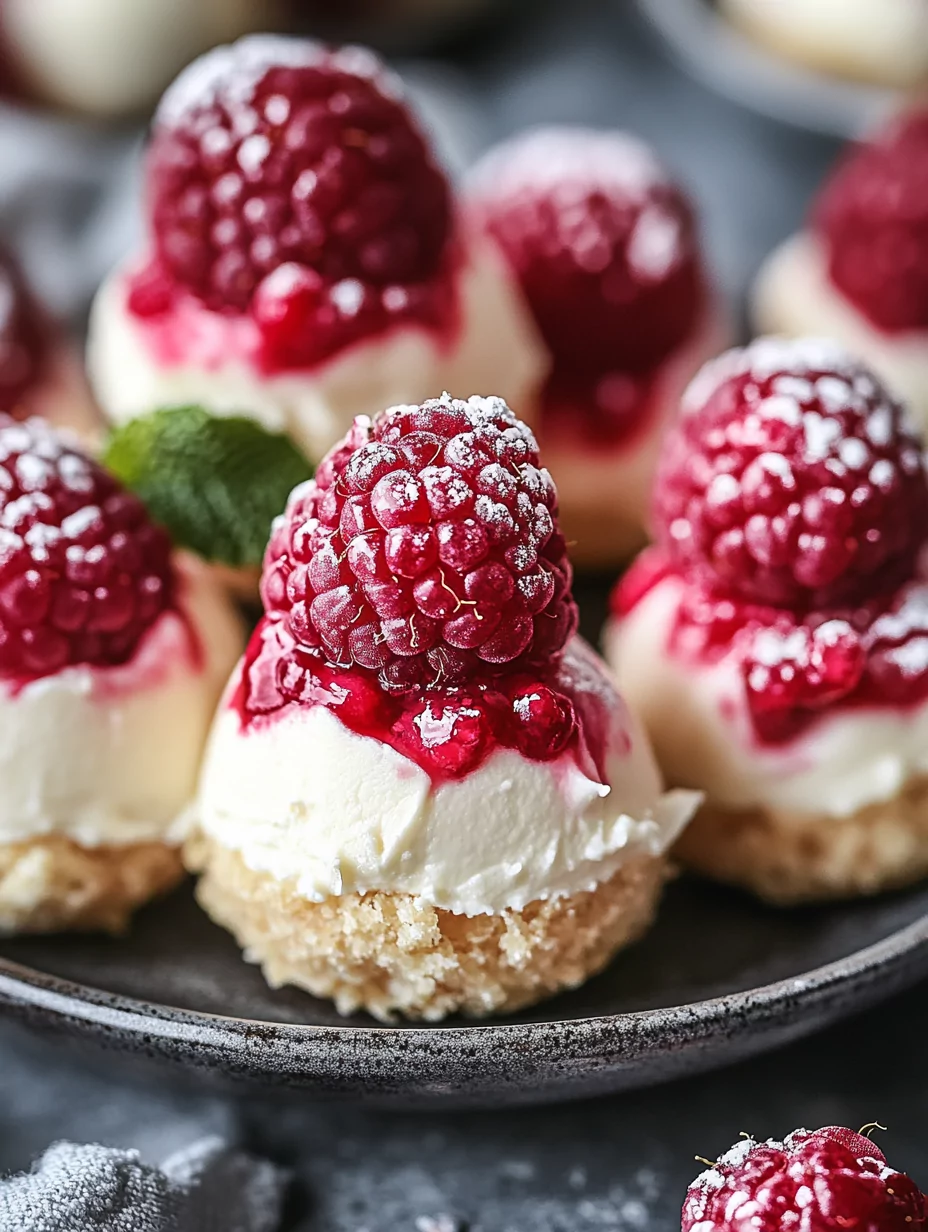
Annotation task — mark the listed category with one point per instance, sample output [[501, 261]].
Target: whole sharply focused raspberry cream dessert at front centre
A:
[[422, 794]]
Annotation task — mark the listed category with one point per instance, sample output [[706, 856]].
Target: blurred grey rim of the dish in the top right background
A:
[[744, 71]]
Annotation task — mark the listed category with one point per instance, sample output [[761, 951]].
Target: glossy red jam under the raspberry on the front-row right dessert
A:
[[797, 668]]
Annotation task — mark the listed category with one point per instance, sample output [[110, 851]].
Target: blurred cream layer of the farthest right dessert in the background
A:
[[794, 296]]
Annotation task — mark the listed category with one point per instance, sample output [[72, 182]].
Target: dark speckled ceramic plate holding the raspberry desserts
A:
[[718, 979]]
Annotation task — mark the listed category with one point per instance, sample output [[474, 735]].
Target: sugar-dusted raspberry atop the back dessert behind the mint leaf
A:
[[282, 152]]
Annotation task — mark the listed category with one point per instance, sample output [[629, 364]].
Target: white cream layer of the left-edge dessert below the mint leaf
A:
[[110, 756]]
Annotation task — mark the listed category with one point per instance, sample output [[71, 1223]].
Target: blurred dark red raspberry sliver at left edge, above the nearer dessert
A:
[[25, 339]]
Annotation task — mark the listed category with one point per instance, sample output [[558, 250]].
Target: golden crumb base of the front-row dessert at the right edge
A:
[[788, 859]]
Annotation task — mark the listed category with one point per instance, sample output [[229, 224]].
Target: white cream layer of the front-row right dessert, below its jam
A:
[[698, 720]]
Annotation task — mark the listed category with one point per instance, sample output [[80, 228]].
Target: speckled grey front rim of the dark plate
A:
[[791, 1005]]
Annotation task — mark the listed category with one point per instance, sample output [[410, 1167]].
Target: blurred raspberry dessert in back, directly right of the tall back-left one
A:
[[604, 247]]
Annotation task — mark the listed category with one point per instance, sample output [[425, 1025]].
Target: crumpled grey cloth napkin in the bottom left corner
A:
[[205, 1188]]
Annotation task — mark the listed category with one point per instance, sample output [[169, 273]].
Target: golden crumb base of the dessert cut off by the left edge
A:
[[51, 885]]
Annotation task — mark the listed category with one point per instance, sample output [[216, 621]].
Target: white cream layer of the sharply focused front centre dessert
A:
[[305, 799]]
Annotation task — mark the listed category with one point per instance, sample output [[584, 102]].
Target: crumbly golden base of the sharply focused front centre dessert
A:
[[395, 954]]
